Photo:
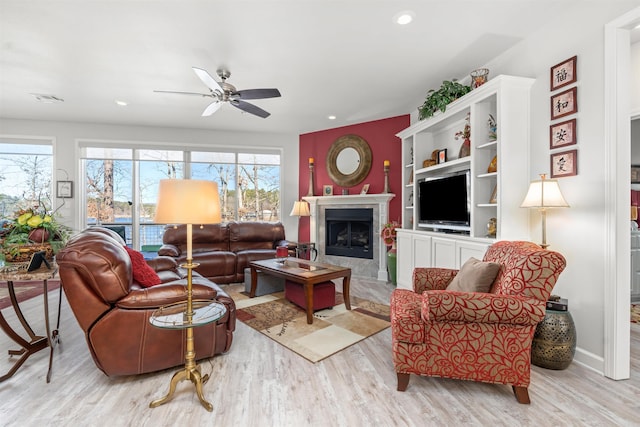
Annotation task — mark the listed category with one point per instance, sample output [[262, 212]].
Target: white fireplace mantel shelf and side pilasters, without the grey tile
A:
[[380, 203]]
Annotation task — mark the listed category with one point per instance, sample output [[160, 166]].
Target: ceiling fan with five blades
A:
[[221, 92]]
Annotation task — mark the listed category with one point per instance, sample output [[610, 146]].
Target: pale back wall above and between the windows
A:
[[67, 161]]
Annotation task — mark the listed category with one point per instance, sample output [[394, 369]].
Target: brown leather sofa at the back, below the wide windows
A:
[[224, 250]]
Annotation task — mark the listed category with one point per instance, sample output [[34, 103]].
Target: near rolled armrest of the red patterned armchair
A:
[[478, 307]]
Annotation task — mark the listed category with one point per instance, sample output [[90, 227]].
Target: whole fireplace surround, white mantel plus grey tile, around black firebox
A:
[[373, 268]]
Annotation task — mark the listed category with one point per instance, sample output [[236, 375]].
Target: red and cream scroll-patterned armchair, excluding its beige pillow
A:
[[479, 336]]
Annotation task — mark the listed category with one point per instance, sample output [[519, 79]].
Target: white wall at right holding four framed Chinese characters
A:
[[578, 232]]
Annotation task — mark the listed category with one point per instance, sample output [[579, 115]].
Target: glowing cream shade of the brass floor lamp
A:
[[187, 201]]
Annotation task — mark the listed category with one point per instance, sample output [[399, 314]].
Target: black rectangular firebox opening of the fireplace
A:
[[349, 232]]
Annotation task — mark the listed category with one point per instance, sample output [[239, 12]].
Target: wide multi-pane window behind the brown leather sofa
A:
[[121, 186]]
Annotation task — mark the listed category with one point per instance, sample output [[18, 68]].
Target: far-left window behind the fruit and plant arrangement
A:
[[26, 167]]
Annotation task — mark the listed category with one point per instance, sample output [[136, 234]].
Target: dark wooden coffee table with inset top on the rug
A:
[[307, 273]]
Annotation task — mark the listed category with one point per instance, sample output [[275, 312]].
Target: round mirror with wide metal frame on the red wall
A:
[[349, 160]]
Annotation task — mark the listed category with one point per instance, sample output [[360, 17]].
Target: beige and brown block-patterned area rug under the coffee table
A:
[[332, 330]]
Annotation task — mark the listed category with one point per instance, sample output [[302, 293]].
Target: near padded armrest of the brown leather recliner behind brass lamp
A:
[[164, 294]]
